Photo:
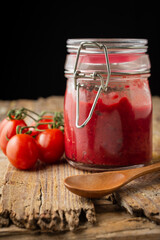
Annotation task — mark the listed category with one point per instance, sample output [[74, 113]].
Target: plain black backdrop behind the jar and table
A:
[[33, 40]]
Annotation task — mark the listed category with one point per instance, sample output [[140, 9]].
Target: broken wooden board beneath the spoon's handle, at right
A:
[[142, 197]]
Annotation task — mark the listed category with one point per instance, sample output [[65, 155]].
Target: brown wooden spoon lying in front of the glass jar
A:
[[97, 185]]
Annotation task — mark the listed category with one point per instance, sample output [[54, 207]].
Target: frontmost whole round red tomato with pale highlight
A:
[[22, 151]]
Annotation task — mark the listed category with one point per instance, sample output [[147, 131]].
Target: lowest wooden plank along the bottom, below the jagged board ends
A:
[[112, 223]]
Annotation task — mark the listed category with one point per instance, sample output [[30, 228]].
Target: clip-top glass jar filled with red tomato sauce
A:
[[108, 106]]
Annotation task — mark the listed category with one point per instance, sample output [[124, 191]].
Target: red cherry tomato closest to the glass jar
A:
[[51, 145]]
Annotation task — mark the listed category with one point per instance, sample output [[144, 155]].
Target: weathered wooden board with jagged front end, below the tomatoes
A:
[[38, 199]]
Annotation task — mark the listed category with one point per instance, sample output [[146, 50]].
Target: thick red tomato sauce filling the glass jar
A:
[[118, 134]]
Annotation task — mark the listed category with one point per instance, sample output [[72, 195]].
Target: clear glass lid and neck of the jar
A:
[[111, 55]]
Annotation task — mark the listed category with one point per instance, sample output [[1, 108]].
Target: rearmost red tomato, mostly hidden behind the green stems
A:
[[45, 119]]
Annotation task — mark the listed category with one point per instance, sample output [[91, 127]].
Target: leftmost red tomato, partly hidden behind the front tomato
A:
[[8, 131]]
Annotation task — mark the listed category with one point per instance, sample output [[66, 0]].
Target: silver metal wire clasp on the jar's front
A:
[[94, 75]]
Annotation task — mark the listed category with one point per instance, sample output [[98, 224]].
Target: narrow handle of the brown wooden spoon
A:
[[138, 172]]
